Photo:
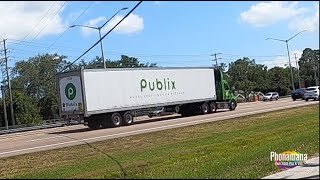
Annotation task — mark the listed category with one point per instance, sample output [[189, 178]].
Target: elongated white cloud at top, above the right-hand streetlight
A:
[[268, 13]]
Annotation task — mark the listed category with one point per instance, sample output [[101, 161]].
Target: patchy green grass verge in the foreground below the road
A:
[[237, 148]]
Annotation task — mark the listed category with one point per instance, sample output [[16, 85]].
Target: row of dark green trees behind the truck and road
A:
[[35, 96]]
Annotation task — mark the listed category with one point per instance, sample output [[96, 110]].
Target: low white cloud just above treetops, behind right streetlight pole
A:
[[283, 61]]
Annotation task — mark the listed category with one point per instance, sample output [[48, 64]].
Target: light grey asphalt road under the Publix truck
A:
[[39, 140]]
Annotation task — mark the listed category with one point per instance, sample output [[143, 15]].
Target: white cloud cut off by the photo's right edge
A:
[[310, 23]]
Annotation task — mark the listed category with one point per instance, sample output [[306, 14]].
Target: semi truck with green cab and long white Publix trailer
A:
[[113, 97]]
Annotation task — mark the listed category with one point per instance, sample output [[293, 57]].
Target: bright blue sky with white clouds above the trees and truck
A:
[[169, 33]]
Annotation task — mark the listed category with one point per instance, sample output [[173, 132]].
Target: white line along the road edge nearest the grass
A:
[[155, 128]]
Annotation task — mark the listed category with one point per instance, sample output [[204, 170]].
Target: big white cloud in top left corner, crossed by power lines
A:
[[19, 18]]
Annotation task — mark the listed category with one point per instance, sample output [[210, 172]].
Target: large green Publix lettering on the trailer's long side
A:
[[166, 84]]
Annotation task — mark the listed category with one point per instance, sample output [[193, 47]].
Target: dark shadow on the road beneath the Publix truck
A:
[[143, 121]]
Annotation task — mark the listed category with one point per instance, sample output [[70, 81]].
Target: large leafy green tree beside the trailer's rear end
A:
[[36, 79]]
